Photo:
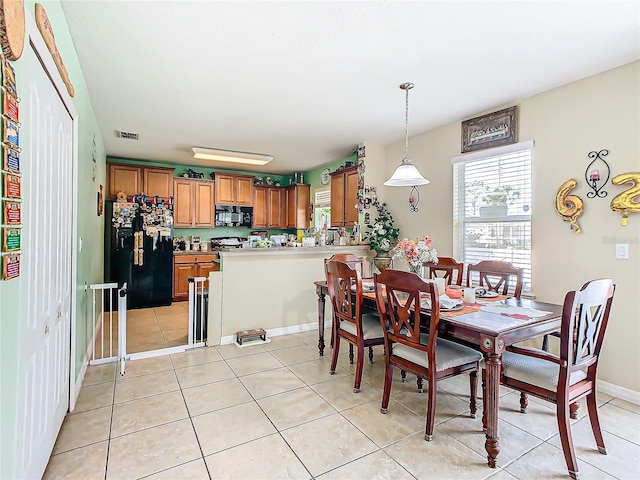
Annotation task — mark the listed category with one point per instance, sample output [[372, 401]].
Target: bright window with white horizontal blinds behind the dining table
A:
[[492, 206]]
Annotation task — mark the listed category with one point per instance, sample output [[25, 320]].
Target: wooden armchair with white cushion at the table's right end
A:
[[566, 378]]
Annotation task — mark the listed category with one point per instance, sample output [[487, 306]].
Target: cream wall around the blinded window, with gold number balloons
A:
[[566, 123]]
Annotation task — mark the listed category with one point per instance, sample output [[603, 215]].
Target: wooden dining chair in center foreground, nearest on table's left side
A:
[[399, 296]]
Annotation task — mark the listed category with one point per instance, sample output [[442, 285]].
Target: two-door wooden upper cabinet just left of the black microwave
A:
[[193, 204]]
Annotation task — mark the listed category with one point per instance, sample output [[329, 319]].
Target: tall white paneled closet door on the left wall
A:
[[43, 396]]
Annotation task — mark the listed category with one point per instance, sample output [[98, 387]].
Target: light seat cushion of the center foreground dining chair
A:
[[448, 354]]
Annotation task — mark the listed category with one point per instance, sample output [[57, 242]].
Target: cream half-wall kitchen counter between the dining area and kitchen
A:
[[269, 288]]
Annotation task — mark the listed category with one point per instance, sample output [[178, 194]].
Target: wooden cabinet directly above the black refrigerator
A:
[[132, 179]]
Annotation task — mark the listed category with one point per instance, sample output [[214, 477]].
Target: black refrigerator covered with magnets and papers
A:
[[139, 251]]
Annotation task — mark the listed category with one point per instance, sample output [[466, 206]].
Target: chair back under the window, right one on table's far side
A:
[[496, 276]]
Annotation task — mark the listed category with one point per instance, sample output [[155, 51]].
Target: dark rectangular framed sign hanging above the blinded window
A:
[[491, 130]]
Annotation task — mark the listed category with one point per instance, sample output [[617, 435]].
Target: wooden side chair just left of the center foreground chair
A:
[[349, 320]]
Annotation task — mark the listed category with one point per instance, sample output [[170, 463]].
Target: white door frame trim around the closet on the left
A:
[[36, 42]]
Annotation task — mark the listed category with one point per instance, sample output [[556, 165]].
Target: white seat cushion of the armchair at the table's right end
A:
[[536, 371]]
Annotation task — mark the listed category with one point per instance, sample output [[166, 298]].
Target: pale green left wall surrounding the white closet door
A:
[[89, 225]]
